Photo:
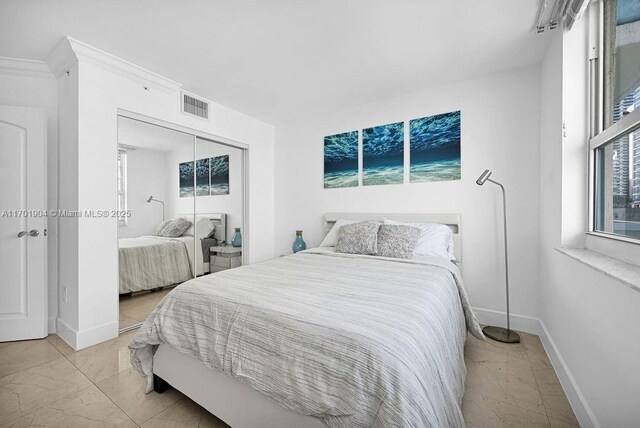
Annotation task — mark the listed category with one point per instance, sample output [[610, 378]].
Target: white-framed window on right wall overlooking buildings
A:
[[616, 150]]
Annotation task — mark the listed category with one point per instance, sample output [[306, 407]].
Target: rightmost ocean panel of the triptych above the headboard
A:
[[435, 148]]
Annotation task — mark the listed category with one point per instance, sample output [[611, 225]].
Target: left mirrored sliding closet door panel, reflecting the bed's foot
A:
[[151, 259]]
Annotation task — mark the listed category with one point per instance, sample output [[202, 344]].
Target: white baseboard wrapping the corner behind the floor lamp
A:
[[535, 326]]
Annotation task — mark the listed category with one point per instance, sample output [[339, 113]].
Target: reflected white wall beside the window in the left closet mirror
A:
[[145, 177]]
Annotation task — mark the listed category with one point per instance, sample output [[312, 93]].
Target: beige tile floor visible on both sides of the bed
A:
[[46, 383]]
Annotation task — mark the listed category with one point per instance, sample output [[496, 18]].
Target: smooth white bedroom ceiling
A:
[[279, 59]]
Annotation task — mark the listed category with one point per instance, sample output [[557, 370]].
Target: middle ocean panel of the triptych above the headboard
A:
[[383, 154]]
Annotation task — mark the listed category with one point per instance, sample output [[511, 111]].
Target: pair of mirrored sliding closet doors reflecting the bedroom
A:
[[183, 198]]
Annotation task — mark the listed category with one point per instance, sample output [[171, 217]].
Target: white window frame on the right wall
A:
[[598, 135]]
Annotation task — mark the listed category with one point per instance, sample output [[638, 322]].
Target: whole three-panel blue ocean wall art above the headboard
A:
[[434, 153]]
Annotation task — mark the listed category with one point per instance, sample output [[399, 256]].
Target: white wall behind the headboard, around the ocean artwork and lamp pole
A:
[[500, 131]]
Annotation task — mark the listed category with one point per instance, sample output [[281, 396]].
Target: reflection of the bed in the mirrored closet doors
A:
[[151, 262]]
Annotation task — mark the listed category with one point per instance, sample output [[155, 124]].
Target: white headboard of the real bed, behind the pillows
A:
[[451, 220]]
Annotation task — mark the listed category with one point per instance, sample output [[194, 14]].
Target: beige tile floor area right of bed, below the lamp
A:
[[513, 385]]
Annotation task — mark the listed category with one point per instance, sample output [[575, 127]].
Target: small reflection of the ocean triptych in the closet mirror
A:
[[210, 176]]
